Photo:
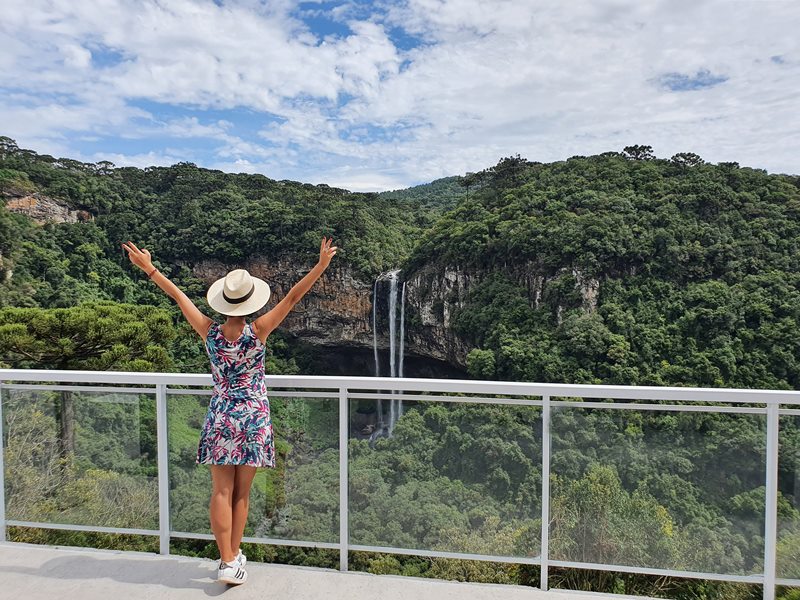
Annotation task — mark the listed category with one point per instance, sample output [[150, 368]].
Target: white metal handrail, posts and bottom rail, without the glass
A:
[[773, 404]]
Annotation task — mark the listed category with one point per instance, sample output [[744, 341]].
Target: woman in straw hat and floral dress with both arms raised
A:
[[237, 433]]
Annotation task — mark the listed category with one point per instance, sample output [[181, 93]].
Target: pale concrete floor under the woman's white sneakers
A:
[[34, 572]]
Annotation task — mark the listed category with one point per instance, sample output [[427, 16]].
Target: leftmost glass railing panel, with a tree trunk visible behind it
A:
[[83, 458]]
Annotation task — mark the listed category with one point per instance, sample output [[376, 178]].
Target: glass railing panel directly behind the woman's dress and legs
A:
[[298, 500]]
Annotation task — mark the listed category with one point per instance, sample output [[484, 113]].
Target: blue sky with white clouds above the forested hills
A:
[[382, 95]]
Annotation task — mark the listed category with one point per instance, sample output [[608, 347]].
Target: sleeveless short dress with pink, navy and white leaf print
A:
[[238, 427]]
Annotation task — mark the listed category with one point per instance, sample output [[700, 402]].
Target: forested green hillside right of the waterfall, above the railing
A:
[[690, 270]]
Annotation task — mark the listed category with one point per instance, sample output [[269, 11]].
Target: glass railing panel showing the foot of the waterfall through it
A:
[[451, 476]]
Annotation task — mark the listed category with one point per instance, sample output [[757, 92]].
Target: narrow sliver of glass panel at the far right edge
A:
[[788, 549]]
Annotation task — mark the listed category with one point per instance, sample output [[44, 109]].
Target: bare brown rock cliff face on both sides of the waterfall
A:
[[338, 310]]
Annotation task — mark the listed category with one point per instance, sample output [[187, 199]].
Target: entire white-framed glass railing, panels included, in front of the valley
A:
[[676, 482]]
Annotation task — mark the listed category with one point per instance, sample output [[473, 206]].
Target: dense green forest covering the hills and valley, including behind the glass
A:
[[650, 272]]
